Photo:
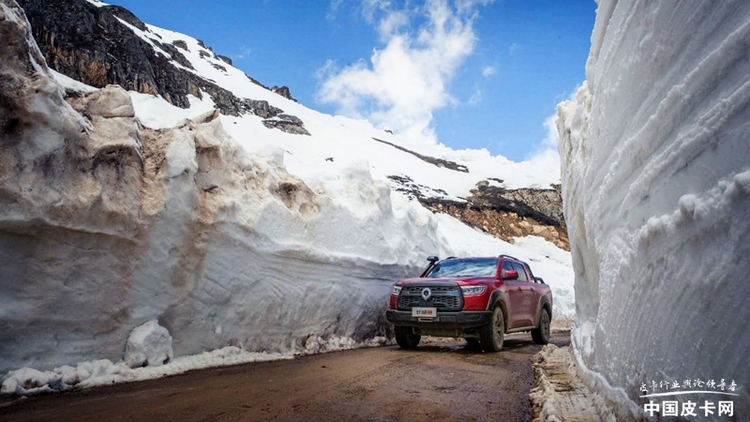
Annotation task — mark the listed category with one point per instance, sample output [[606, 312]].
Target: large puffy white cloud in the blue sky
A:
[[406, 79]]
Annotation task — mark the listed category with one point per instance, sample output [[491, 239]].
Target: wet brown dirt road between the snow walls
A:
[[441, 381]]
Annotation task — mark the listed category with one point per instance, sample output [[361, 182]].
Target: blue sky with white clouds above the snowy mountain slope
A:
[[466, 73]]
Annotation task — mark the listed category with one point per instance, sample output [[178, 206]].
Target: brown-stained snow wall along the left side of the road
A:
[[105, 224]]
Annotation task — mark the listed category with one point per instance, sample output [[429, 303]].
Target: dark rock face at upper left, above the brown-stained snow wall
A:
[[90, 44]]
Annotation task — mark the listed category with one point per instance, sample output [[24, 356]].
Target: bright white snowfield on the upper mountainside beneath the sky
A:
[[343, 139]]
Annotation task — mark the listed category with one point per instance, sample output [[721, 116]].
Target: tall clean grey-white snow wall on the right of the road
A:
[[656, 186]]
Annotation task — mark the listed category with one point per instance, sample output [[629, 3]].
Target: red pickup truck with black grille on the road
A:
[[479, 299]]
